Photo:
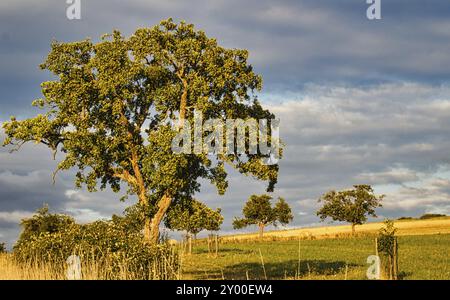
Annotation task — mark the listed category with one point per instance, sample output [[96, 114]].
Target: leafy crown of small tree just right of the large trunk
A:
[[194, 218]]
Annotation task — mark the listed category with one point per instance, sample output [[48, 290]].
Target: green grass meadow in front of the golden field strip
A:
[[420, 257]]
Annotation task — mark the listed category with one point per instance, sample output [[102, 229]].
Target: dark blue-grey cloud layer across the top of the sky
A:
[[291, 42]]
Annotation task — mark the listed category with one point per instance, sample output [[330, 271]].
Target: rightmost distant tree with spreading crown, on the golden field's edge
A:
[[351, 206]]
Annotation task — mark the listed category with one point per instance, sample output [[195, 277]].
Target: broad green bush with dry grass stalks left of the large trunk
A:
[[107, 244]]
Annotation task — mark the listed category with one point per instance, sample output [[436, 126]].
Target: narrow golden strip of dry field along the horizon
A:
[[404, 227]]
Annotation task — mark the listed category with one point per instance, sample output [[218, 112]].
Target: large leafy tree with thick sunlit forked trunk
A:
[[110, 108]]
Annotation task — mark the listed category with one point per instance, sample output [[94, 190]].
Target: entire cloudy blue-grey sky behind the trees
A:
[[360, 101]]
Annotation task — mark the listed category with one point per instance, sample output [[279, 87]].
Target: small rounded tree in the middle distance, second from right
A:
[[259, 211]]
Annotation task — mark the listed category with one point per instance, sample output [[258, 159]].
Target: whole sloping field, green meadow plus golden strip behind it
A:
[[324, 253]]
